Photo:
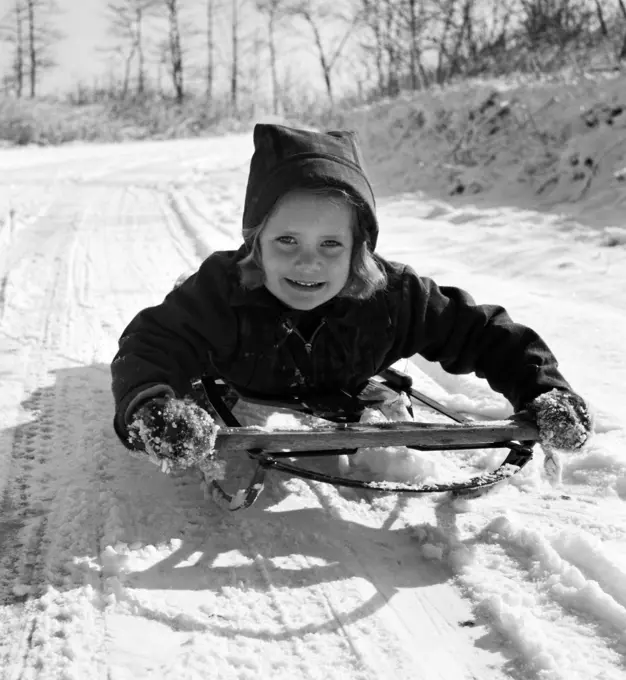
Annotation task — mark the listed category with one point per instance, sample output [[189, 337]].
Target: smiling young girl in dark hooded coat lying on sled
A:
[[306, 309]]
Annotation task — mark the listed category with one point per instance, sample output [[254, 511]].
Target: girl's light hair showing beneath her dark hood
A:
[[366, 275]]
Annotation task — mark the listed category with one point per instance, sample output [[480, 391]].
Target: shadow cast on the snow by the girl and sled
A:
[[73, 490]]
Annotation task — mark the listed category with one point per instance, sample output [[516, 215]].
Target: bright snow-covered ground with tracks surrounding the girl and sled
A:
[[110, 569]]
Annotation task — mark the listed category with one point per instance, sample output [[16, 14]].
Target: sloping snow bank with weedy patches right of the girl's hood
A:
[[558, 141]]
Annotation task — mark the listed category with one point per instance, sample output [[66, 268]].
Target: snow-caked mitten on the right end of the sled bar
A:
[[563, 420]]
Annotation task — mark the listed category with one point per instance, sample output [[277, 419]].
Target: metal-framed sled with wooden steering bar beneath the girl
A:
[[270, 447]]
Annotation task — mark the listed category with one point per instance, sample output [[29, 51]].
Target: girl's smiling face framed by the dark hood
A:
[[306, 248]]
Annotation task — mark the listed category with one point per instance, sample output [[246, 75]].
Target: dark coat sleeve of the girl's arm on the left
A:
[[164, 347]]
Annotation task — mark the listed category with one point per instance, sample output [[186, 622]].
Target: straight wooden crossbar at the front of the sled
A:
[[347, 436]]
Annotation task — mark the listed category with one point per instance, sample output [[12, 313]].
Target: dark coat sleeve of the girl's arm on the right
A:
[[444, 324]]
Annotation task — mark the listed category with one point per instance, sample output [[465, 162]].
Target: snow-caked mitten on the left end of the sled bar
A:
[[174, 433]]
